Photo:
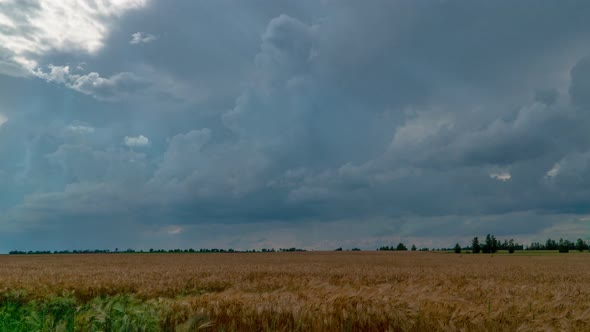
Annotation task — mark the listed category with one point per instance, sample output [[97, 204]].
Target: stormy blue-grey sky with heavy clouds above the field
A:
[[311, 124]]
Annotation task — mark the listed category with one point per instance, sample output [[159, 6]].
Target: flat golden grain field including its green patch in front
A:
[[308, 291]]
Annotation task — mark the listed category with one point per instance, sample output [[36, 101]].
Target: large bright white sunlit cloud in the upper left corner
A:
[[31, 30]]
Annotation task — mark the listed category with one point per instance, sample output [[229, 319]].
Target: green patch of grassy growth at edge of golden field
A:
[[114, 313]]
